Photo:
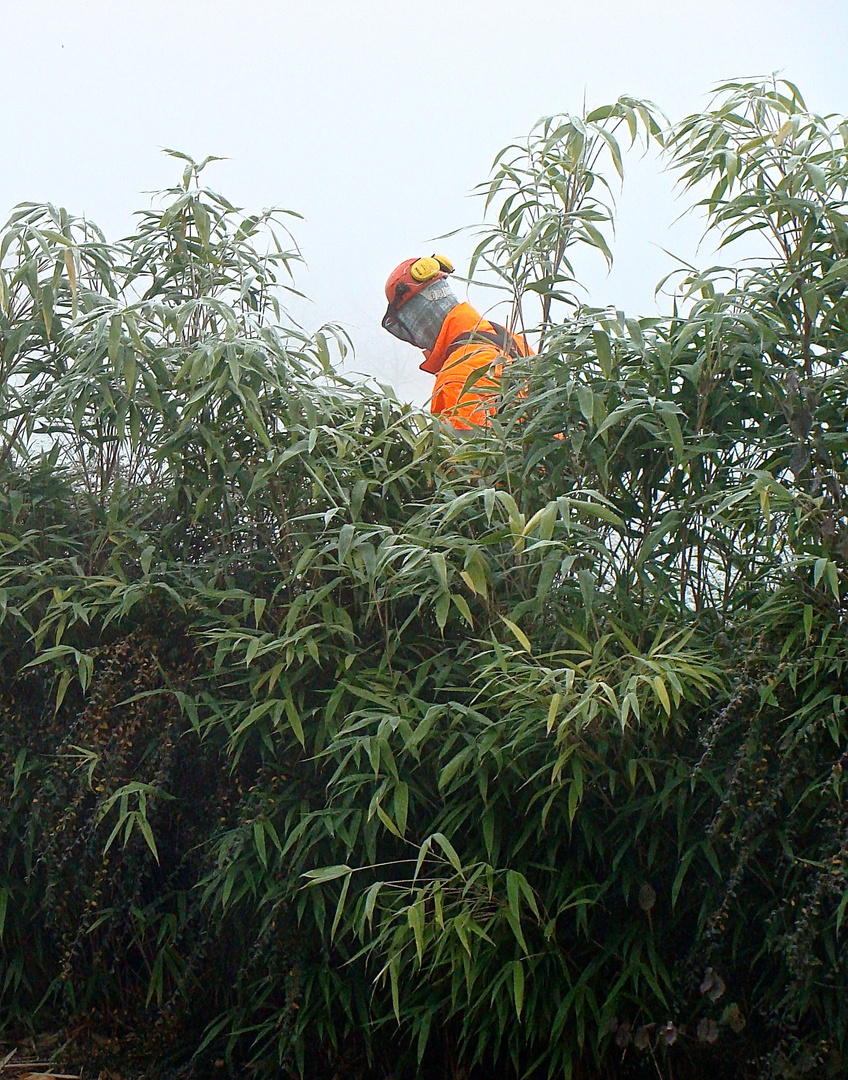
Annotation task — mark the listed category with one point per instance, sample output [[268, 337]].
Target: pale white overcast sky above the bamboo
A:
[[374, 118]]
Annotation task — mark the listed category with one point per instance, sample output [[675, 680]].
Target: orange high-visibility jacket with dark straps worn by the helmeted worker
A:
[[453, 368]]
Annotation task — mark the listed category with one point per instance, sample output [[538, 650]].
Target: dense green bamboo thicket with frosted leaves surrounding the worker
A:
[[334, 737]]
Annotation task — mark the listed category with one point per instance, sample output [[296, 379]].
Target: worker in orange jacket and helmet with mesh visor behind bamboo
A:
[[464, 350]]
